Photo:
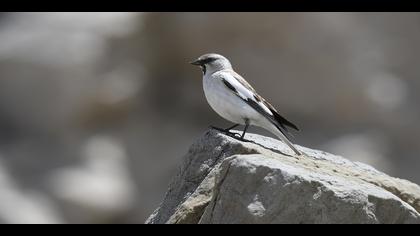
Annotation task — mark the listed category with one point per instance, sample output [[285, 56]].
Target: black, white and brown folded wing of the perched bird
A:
[[244, 90]]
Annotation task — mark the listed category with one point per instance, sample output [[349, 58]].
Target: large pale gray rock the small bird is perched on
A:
[[223, 180]]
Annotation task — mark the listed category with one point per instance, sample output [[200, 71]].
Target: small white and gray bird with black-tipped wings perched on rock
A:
[[234, 99]]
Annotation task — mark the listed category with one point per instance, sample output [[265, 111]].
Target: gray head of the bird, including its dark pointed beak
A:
[[212, 62]]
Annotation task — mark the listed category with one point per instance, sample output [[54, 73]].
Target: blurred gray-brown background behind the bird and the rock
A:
[[97, 109]]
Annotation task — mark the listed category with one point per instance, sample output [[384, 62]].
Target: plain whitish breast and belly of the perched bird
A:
[[227, 104]]
